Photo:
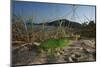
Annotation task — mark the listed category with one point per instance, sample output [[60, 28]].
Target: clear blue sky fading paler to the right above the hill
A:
[[45, 12]]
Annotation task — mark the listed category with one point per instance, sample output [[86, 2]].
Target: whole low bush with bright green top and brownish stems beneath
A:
[[50, 46]]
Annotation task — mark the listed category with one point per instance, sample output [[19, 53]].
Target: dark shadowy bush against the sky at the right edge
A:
[[89, 30]]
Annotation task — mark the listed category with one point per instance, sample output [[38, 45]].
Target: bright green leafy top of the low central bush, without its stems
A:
[[54, 43]]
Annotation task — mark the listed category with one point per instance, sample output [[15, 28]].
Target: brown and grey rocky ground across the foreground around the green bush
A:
[[78, 51]]
